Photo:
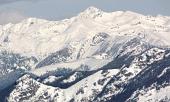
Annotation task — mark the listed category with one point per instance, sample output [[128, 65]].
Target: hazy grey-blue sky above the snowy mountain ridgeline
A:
[[16, 10]]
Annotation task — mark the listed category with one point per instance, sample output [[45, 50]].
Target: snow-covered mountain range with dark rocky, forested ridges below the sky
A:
[[94, 56]]
